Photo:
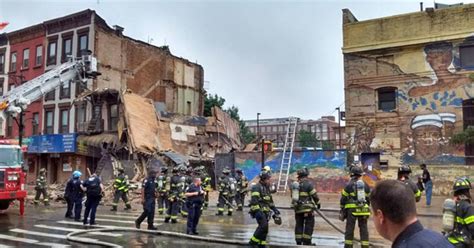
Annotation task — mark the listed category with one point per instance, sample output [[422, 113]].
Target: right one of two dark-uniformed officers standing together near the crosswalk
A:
[[93, 188]]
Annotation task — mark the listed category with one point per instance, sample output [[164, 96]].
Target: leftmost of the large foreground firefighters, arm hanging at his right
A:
[[261, 206]]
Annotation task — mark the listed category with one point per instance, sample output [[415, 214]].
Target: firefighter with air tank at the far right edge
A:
[[460, 230]]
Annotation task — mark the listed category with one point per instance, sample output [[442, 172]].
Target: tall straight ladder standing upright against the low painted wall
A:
[[287, 154]]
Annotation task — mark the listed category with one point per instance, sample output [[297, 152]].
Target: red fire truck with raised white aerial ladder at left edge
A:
[[12, 168]]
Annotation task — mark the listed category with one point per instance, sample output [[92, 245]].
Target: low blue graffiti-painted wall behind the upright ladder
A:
[[327, 168]]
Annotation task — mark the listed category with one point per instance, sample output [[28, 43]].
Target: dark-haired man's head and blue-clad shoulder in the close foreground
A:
[[394, 215]]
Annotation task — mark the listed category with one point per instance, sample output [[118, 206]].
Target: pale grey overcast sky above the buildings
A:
[[279, 58]]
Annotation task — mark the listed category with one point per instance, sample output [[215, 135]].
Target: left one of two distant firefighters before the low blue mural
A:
[[226, 191]]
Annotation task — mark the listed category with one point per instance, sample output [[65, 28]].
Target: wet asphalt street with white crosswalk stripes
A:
[[46, 226]]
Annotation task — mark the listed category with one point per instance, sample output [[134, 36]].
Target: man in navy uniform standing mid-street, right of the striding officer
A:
[[194, 200]]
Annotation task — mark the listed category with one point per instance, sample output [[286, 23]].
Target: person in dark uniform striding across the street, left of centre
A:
[[148, 201]]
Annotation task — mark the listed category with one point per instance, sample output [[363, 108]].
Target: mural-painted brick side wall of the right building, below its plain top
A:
[[429, 102]]
